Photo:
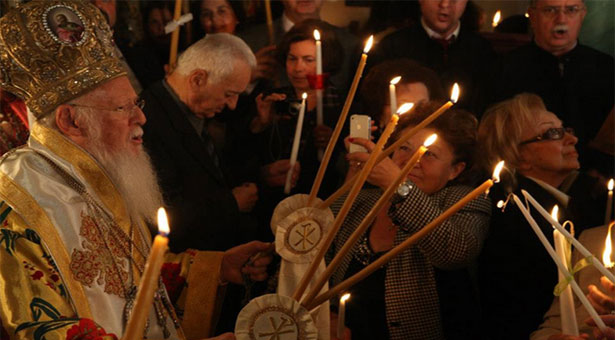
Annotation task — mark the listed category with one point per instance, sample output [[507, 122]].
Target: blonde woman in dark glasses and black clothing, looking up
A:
[[516, 274]]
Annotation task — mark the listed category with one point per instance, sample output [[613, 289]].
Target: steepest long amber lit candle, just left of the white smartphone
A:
[[340, 122]]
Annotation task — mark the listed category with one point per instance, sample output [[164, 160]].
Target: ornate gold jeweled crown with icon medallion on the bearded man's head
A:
[[54, 51]]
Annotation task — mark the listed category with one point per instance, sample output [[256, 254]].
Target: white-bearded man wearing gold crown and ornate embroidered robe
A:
[[75, 200]]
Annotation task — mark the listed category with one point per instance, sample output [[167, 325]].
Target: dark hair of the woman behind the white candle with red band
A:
[[332, 51]]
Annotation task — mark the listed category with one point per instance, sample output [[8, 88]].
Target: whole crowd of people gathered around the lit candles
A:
[[116, 131]]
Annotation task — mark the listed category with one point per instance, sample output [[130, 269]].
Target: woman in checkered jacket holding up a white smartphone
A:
[[403, 300]]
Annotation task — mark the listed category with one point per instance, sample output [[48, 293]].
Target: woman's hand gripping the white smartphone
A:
[[382, 175]]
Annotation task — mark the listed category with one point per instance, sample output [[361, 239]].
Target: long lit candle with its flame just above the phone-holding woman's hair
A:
[[397, 144]]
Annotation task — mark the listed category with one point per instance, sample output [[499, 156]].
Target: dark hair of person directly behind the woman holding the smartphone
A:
[[374, 88]]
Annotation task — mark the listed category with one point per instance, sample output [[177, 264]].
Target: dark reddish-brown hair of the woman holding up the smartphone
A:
[[459, 128]]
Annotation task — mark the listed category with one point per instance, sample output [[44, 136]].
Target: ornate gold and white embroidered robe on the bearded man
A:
[[59, 267]]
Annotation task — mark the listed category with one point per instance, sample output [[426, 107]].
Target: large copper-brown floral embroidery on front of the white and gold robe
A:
[[102, 260]]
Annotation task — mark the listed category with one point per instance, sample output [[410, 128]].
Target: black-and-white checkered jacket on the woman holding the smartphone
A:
[[411, 299]]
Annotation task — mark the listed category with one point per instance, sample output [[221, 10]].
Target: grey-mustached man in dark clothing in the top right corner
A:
[[575, 81]]
